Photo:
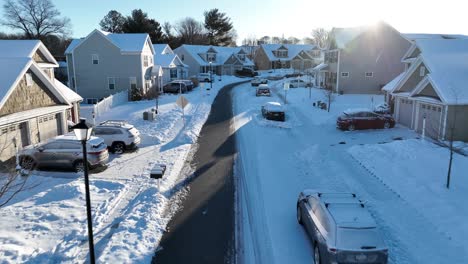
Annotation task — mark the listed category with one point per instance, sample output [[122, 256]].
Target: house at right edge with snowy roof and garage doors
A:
[[432, 94]]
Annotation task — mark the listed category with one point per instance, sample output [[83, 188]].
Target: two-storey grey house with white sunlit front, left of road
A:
[[105, 63]]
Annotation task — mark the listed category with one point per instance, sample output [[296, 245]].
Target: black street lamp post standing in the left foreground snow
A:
[[83, 133]]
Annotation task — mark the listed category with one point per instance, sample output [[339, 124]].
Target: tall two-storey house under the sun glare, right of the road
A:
[[362, 59]]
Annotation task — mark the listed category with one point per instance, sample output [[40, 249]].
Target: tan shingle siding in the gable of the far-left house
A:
[[26, 98]]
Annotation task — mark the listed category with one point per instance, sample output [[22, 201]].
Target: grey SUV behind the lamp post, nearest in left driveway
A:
[[64, 152]]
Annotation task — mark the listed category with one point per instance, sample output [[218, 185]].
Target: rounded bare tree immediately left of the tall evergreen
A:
[[190, 31]]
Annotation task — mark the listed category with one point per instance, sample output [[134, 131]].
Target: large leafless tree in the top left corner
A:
[[36, 18]]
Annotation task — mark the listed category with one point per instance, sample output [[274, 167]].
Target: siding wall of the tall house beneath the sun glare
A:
[[379, 52]]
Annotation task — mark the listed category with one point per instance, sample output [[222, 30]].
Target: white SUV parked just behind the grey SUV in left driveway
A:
[[118, 135]]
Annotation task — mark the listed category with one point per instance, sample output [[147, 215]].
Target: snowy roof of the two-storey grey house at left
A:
[[126, 42]]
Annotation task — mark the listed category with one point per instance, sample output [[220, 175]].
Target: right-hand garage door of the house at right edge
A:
[[433, 114]]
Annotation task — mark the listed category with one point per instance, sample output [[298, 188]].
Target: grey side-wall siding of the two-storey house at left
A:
[[92, 79]]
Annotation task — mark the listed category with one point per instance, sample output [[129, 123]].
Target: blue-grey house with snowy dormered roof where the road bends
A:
[[219, 60]]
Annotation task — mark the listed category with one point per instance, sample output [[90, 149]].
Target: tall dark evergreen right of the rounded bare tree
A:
[[219, 28]]
